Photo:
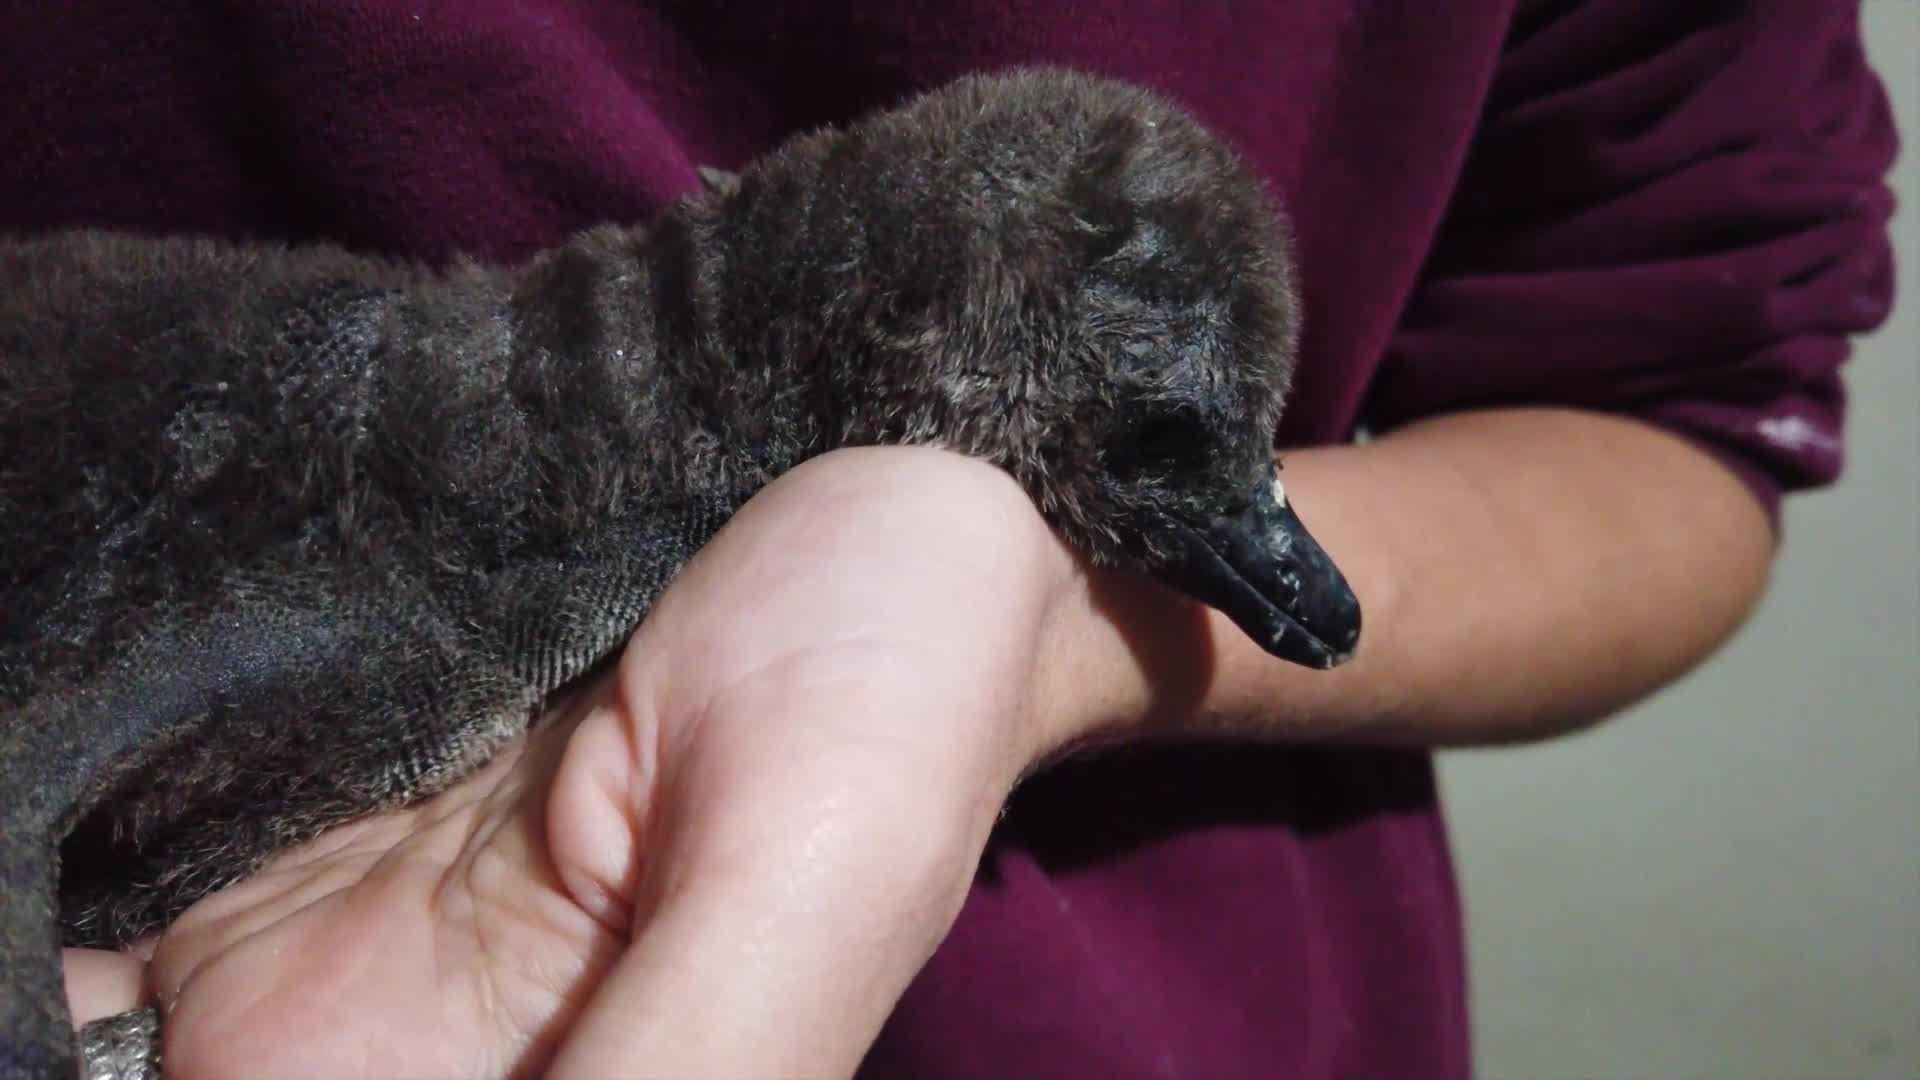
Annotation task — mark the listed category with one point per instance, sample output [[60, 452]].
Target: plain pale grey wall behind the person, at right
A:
[[1727, 879]]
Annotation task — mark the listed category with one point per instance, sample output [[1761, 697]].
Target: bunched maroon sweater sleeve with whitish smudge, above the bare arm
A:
[[1675, 212]]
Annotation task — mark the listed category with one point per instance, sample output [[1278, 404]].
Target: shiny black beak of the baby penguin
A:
[[1266, 572]]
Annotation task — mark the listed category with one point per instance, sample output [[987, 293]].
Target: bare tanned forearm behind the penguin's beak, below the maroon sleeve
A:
[[1522, 574]]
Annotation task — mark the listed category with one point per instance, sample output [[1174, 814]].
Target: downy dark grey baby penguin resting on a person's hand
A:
[[297, 535]]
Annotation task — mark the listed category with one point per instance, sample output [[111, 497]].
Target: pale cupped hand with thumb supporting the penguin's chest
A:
[[725, 860]]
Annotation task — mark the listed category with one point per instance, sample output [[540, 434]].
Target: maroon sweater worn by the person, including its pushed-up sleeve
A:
[[1662, 210]]
